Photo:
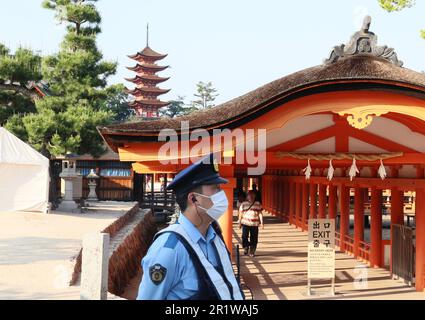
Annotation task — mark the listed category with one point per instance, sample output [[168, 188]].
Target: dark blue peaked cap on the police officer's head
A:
[[203, 172]]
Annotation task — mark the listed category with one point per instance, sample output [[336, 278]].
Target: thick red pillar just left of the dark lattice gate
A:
[[376, 228]]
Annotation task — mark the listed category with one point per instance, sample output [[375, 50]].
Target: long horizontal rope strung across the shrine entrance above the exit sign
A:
[[339, 156]]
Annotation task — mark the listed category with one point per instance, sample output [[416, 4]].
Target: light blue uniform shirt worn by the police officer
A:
[[180, 278]]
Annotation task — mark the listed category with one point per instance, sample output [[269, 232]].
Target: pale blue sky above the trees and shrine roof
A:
[[239, 45]]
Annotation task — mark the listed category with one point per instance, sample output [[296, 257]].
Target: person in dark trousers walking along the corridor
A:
[[250, 218]]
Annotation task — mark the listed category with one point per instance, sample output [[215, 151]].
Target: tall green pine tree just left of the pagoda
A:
[[66, 120]]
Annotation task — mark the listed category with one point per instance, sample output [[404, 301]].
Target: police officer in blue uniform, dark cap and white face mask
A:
[[189, 260]]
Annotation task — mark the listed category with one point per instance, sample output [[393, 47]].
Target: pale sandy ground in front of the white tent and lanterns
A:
[[37, 250]]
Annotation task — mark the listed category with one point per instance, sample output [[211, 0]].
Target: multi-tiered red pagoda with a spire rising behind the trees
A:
[[146, 91]]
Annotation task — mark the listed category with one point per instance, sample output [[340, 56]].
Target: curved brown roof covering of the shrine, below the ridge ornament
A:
[[355, 68]]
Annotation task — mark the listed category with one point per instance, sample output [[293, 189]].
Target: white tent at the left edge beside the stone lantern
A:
[[24, 176]]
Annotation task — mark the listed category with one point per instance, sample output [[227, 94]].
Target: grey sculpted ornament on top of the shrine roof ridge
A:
[[364, 42]]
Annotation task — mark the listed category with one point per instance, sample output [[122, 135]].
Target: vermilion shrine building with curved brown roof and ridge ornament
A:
[[360, 103]]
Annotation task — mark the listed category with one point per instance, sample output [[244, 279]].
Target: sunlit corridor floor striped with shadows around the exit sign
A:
[[279, 270]]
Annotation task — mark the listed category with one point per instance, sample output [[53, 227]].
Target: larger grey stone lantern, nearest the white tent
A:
[[69, 174]]
